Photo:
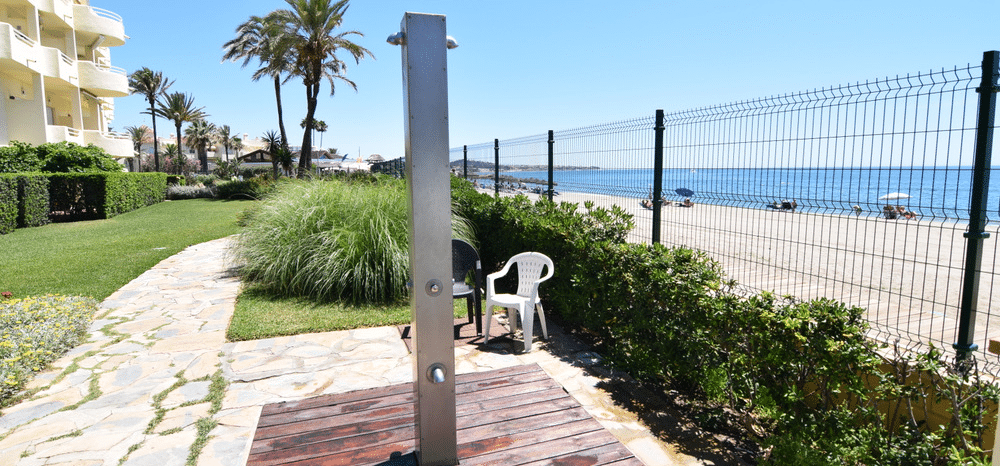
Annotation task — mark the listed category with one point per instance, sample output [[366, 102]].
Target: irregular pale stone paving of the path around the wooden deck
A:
[[137, 392]]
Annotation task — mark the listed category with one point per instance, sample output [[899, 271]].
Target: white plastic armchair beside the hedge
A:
[[529, 276]]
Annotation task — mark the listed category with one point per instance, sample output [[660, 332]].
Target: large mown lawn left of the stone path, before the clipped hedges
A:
[[95, 258]]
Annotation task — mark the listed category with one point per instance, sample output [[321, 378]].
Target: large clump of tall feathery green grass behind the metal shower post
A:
[[331, 240]]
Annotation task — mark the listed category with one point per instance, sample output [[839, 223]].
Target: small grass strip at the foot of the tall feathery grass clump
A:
[[259, 315]]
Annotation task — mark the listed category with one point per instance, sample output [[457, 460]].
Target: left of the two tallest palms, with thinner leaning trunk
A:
[[261, 38]]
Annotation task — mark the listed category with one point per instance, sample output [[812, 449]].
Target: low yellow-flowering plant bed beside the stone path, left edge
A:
[[35, 331]]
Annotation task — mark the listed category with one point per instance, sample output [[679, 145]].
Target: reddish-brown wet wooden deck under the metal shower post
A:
[[511, 416]]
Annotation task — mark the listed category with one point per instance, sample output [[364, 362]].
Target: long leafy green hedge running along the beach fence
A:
[[799, 379]]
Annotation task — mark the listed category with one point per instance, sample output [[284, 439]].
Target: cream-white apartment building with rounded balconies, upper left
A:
[[56, 79]]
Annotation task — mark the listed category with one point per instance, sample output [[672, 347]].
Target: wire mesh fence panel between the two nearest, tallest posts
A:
[[854, 193]]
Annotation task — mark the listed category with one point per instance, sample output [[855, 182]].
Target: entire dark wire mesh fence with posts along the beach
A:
[[874, 194]]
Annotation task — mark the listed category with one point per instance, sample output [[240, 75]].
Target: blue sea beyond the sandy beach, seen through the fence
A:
[[941, 193]]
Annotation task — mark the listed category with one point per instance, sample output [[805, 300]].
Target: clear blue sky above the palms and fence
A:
[[524, 67]]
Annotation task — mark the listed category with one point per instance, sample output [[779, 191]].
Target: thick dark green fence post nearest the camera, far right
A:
[[977, 214]]
